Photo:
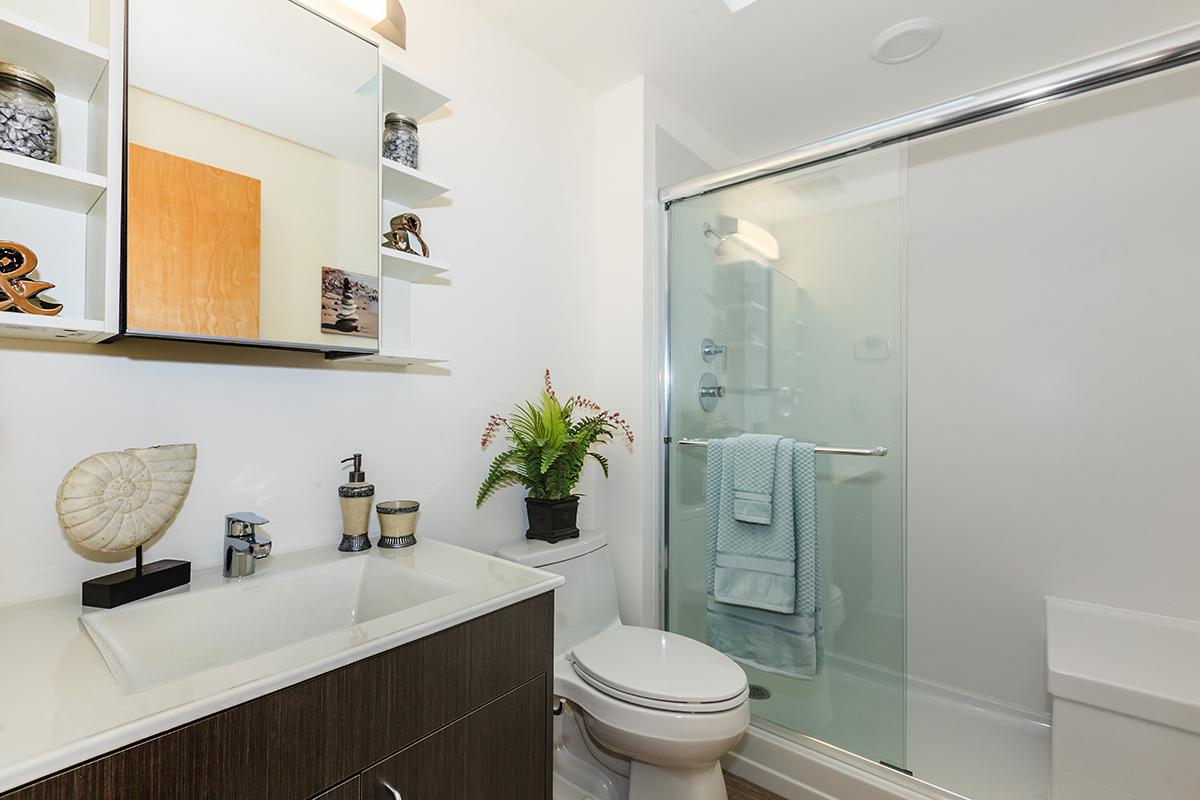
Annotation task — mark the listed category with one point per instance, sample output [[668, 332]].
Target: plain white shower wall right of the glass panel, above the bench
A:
[[1053, 378]]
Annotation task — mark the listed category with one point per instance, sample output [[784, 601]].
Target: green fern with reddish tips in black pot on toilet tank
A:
[[548, 449]]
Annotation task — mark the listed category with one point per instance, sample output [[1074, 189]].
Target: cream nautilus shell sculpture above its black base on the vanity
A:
[[119, 501]]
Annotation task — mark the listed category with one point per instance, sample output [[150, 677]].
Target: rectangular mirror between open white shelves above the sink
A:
[[254, 177]]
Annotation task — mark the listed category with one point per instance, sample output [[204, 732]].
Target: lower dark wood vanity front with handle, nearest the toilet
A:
[[500, 753]]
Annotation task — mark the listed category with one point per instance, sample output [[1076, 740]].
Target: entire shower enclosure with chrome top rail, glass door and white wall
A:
[[964, 320]]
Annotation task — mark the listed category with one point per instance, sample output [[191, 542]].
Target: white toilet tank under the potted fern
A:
[[587, 603]]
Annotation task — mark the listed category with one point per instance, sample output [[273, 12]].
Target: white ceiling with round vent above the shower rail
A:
[[781, 74]]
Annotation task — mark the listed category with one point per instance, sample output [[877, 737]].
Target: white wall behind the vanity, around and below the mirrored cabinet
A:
[[517, 145]]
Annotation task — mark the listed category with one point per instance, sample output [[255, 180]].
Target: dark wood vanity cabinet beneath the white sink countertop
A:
[[459, 715]]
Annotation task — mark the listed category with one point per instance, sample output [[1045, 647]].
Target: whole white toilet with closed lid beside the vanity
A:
[[659, 709]]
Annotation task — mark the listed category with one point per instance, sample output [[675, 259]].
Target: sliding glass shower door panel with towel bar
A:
[[787, 316]]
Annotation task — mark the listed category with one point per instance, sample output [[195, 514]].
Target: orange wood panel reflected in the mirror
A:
[[194, 248]]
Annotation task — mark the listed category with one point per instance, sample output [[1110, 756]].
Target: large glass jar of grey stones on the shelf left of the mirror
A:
[[29, 119]]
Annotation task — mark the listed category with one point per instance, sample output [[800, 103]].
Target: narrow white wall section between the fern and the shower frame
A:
[[633, 161]]
